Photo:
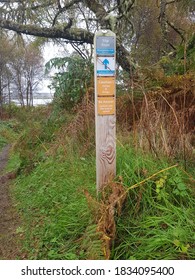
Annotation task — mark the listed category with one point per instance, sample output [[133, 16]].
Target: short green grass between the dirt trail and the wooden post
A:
[[53, 207]]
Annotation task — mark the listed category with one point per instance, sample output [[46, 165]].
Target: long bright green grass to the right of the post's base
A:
[[158, 219]]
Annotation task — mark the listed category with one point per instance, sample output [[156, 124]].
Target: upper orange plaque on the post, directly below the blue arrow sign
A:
[[105, 86]]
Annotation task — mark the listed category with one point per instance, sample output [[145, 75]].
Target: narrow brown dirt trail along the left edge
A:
[[8, 219]]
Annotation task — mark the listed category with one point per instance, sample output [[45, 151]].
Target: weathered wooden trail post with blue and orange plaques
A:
[[105, 106]]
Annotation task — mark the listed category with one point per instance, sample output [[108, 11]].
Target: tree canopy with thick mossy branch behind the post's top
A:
[[152, 28]]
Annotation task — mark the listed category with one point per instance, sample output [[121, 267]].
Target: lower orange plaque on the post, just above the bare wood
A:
[[106, 106]]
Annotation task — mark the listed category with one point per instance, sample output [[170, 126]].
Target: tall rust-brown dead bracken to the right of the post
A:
[[162, 121]]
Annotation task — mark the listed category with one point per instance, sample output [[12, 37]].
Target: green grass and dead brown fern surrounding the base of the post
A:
[[146, 214]]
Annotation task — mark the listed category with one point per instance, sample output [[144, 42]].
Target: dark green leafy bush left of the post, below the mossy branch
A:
[[73, 77]]
